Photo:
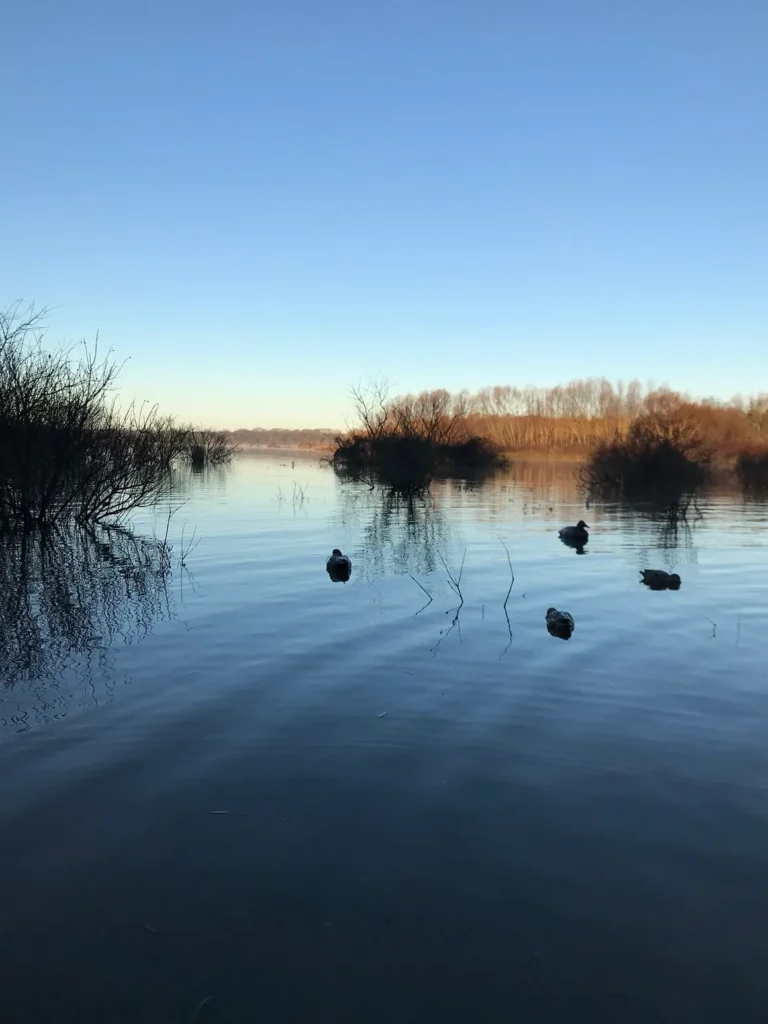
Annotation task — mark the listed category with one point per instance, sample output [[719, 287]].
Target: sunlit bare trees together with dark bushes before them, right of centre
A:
[[633, 438]]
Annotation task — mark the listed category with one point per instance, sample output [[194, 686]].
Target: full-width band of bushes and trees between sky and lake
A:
[[68, 452]]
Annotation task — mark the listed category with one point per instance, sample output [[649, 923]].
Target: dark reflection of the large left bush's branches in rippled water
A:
[[66, 598]]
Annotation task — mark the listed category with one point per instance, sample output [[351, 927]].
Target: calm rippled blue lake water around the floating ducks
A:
[[319, 802]]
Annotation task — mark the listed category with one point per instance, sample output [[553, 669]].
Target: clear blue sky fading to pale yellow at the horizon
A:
[[261, 204]]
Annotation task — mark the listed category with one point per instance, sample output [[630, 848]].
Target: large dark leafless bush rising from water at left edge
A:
[[68, 451]]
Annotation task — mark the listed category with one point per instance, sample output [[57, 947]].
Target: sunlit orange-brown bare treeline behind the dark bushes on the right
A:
[[570, 418]]
